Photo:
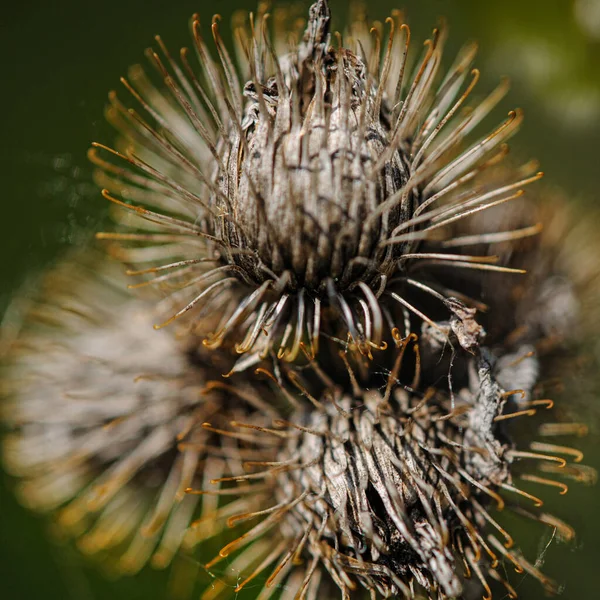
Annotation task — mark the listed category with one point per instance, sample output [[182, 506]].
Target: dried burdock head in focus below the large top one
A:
[[395, 490]]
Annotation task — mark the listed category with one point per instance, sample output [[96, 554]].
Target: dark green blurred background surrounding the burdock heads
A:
[[59, 60]]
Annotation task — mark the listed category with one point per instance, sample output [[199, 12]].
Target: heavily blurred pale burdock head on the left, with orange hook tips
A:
[[105, 418]]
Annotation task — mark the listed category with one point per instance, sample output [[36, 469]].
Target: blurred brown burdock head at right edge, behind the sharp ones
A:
[[555, 306]]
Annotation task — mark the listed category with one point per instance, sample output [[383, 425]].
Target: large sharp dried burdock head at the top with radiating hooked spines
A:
[[308, 190]]
